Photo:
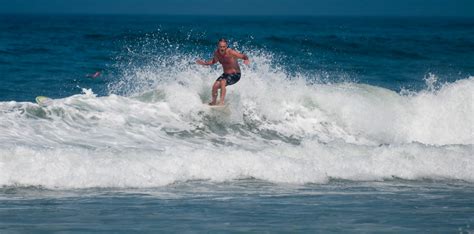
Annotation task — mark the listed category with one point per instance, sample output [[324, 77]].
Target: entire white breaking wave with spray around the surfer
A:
[[153, 130]]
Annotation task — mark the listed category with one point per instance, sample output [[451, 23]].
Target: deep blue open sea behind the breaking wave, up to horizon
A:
[[50, 55]]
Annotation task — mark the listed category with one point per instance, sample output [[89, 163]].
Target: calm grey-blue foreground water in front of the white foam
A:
[[245, 206]]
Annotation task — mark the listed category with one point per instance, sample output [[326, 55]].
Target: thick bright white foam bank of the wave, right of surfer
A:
[[439, 117]]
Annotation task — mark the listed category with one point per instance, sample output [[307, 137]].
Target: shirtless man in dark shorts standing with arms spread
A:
[[228, 58]]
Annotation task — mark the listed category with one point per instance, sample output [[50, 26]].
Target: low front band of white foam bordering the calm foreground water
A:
[[310, 163]]
